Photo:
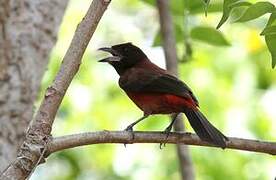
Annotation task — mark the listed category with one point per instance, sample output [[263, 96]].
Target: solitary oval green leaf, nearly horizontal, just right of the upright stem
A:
[[209, 35]]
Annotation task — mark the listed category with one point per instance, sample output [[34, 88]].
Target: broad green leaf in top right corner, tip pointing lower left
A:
[[256, 10]]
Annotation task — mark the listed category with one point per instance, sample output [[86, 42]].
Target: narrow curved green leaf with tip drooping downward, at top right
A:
[[228, 6]]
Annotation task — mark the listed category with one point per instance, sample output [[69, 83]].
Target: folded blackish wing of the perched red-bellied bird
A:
[[153, 82]]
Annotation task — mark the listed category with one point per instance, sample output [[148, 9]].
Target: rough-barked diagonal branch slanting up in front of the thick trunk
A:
[[38, 134]]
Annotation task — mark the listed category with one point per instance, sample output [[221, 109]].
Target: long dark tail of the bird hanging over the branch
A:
[[204, 129]]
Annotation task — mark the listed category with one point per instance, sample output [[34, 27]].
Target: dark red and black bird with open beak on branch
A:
[[155, 91]]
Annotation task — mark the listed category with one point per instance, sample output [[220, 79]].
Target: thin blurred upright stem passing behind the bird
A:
[[169, 46]]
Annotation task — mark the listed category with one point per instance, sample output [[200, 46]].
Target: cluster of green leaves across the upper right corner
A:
[[184, 9]]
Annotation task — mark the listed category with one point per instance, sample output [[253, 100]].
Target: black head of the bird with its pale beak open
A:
[[124, 56]]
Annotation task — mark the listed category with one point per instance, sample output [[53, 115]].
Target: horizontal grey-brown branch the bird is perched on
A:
[[100, 137]]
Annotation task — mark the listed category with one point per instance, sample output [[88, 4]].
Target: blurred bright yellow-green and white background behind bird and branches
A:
[[229, 72]]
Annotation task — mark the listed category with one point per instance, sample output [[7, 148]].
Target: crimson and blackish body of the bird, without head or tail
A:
[[154, 91]]
